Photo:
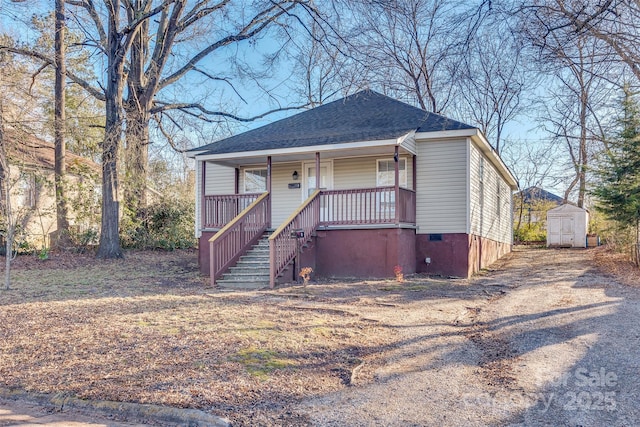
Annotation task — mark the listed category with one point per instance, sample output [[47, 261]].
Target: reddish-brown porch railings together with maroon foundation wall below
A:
[[367, 229]]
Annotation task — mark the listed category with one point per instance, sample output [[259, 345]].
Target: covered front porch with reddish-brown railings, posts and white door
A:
[[365, 189]]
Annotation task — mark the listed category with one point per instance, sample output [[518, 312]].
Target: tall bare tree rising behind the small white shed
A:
[[583, 79]]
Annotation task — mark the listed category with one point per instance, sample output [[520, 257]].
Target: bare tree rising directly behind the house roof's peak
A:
[[412, 48]]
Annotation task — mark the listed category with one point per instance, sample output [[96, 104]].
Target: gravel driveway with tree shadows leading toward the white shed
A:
[[541, 339]]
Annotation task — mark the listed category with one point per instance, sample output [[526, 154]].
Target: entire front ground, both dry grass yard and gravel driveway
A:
[[544, 337]]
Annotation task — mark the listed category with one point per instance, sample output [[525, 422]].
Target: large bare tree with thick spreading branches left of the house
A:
[[141, 42]]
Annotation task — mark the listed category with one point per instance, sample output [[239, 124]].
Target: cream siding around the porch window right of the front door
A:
[[360, 172]]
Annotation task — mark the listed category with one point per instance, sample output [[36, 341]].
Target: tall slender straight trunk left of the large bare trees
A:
[[62, 211]]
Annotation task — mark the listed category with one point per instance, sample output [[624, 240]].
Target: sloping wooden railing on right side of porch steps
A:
[[282, 246]]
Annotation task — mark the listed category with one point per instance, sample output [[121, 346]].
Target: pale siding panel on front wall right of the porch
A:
[[441, 198]]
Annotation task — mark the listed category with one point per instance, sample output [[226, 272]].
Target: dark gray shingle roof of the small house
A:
[[364, 116]]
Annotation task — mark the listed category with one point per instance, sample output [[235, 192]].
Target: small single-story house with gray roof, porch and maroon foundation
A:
[[352, 188]]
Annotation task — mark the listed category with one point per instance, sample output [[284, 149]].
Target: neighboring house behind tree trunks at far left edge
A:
[[31, 165]]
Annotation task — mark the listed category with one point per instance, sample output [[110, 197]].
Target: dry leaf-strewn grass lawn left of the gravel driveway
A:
[[147, 329]]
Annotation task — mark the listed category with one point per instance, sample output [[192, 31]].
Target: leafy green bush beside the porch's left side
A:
[[165, 224]]
